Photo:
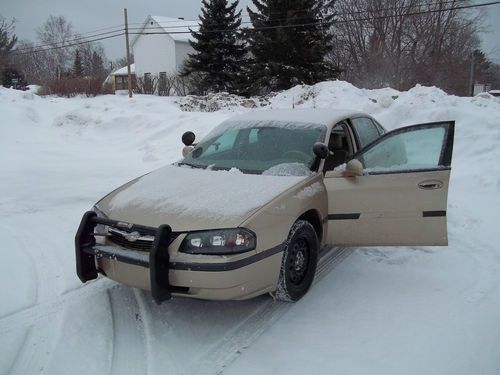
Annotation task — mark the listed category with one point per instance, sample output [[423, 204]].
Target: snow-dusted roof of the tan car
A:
[[318, 116]]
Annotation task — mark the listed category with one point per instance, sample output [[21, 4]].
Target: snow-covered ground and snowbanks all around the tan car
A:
[[378, 311]]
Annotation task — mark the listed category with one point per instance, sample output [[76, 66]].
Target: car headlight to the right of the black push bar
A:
[[220, 242]]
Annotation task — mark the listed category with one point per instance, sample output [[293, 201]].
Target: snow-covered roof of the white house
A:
[[178, 29]]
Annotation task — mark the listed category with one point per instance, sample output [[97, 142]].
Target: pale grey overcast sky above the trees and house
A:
[[90, 15]]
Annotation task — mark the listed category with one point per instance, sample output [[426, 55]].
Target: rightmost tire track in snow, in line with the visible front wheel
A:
[[232, 344]]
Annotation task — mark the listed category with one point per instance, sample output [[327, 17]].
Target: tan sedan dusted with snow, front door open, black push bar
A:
[[251, 207]]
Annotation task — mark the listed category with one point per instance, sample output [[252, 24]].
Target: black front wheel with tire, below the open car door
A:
[[298, 266]]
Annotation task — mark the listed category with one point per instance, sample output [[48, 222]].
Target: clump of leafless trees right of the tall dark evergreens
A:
[[400, 43]]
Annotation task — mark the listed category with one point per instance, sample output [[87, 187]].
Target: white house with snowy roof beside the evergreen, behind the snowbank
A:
[[161, 45]]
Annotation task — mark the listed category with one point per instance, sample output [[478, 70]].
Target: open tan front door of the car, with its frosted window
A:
[[401, 196]]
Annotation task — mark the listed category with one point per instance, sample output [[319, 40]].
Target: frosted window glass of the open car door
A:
[[416, 149]]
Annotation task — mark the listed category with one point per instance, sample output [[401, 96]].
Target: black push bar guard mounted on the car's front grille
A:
[[158, 256]]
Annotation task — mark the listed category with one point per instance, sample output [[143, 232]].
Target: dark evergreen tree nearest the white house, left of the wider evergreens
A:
[[220, 52]]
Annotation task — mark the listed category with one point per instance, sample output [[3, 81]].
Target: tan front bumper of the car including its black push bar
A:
[[240, 276]]
